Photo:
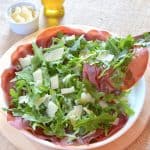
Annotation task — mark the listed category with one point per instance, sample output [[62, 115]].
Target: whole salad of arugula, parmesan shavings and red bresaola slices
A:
[[72, 87]]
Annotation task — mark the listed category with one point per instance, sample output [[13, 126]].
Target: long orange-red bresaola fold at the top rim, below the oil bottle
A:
[[44, 38]]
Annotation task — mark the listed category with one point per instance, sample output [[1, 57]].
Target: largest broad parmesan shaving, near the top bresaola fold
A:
[[54, 55]]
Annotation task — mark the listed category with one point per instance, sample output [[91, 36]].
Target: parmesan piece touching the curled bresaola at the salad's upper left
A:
[[26, 61]]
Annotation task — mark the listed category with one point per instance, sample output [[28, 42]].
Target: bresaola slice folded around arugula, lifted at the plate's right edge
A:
[[135, 71]]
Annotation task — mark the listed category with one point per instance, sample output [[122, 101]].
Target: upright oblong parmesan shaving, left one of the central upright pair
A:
[[37, 76]]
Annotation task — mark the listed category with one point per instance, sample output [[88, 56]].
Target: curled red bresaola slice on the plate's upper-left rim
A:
[[21, 52]]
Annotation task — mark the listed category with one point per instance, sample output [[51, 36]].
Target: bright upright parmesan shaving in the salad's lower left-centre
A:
[[52, 109]]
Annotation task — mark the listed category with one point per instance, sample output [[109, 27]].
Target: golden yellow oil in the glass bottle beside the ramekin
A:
[[53, 8]]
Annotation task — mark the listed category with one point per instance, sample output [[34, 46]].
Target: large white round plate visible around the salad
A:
[[136, 100]]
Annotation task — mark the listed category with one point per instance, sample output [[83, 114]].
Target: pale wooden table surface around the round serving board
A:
[[118, 16]]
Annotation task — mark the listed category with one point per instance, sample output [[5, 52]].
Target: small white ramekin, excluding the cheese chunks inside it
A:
[[27, 27]]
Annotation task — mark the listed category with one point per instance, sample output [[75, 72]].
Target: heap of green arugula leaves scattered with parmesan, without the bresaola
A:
[[53, 96]]
